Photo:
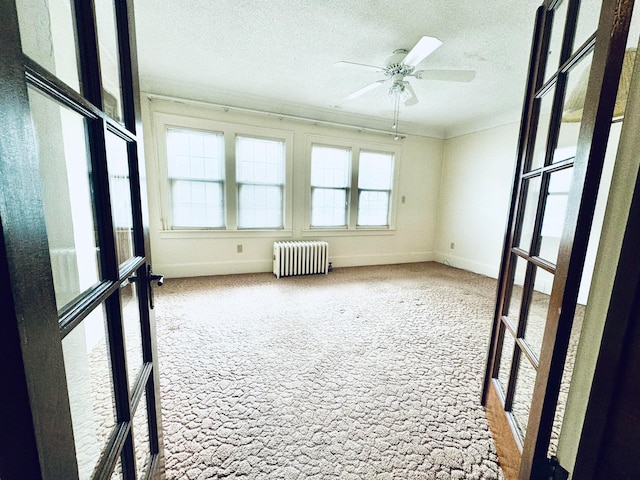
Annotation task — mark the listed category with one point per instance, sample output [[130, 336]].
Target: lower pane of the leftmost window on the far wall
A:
[[197, 204]]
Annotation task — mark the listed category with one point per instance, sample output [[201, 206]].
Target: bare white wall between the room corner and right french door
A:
[[474, 198]]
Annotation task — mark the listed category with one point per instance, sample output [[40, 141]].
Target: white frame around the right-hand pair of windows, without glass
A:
[[352, 211]]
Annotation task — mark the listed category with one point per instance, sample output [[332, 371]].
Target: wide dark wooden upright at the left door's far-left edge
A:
[[29, 333]]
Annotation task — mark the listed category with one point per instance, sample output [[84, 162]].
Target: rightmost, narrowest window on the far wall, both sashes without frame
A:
[[375, 180]]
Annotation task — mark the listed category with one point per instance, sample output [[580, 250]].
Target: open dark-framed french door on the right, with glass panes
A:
[[575, 66]]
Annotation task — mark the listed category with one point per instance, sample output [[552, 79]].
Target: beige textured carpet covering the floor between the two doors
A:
[[365, 373]]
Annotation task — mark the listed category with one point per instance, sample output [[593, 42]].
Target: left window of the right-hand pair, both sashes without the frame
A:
[[330, 172]]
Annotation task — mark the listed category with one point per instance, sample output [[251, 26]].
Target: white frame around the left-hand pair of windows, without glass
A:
[[163, 121]]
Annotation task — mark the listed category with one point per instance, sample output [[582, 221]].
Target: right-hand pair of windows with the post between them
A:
[[351, 187]]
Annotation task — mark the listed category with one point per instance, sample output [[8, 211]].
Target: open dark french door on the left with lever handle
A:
[[79, 393]]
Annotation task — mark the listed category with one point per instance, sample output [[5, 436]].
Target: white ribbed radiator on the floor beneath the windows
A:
[[300, 258]]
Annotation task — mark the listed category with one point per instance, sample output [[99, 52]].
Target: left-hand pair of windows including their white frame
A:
[[222, 177]]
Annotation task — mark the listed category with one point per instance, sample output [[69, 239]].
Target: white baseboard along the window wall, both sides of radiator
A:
[[181, 270]]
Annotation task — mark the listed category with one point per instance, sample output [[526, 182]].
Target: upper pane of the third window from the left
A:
[[330, 166]]
